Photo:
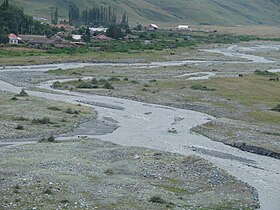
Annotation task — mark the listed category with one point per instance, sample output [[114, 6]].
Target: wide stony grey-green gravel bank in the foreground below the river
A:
[[92, 174]]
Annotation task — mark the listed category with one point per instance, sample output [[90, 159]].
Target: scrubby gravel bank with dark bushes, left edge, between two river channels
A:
[[32, 116]]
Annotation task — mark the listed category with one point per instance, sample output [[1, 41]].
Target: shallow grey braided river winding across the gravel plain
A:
[[166, 128]]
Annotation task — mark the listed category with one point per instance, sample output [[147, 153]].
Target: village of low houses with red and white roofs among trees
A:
[[70, 36]]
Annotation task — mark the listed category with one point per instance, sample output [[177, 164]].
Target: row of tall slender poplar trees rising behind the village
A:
[[95, 16]]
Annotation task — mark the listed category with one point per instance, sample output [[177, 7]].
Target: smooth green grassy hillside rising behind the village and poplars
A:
[[215, 12]]
